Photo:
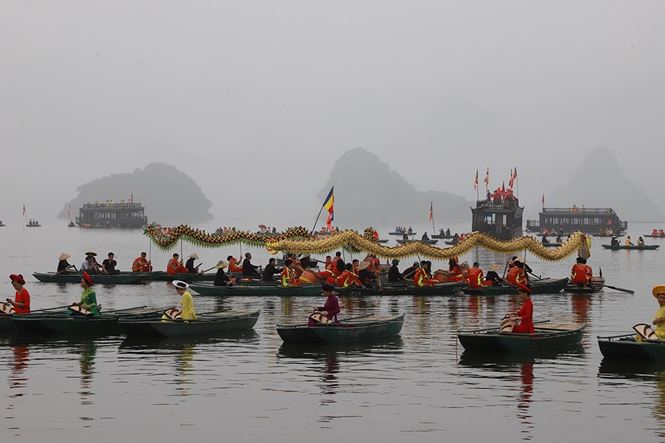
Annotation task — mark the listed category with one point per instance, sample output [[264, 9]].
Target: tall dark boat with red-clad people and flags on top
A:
[[500, 215]]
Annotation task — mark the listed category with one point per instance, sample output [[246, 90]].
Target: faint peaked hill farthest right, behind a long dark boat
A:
[[600, 182]]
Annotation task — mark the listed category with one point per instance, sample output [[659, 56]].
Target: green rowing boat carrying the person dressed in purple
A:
[[346, 331]]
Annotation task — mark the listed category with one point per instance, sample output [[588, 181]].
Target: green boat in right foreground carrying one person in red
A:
[[548, 335]]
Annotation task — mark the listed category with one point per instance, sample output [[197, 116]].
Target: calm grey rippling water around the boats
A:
[[250, 387]]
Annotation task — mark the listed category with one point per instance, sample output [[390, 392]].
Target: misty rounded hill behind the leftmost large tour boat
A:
[[170, 196]]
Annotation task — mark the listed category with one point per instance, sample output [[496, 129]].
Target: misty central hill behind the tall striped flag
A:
[[368, 192]]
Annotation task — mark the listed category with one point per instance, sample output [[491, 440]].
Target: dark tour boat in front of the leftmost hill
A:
[[111, 214]]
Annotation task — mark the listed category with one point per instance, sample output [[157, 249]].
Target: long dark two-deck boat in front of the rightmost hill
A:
[[564, 221]]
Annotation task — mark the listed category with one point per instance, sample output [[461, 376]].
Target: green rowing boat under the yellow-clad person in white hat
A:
[[211, 323]]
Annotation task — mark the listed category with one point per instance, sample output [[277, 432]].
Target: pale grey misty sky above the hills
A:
[[265, 95]]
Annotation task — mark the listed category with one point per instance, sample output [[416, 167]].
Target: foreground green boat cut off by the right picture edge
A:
[[626, 348]]
